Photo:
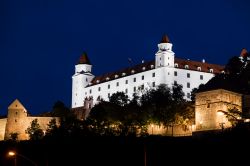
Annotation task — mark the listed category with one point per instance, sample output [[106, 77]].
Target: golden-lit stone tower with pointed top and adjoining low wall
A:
[[18, 121]]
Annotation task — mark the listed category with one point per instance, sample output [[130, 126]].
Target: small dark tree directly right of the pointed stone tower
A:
[[34, 131]]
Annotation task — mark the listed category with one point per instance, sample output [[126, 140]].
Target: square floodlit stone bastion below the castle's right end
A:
[[207, 105]]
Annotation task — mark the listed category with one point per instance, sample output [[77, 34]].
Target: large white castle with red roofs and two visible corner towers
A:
[[164, 69]]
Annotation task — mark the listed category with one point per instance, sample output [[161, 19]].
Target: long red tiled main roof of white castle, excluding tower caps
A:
[[192, 65]]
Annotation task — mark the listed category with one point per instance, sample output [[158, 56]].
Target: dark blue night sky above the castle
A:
[[41, 40]]
